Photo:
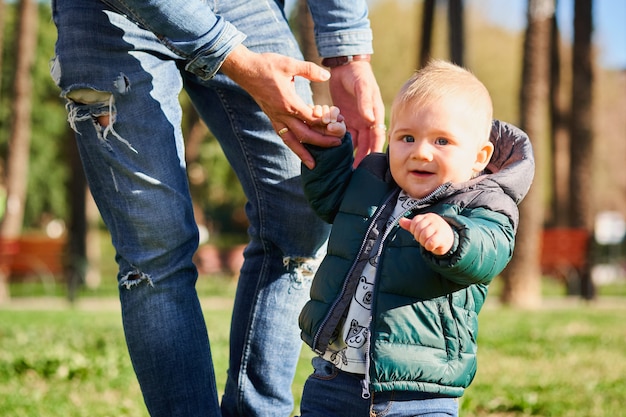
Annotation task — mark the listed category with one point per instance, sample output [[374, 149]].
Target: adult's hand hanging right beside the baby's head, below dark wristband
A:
[[355, 91]]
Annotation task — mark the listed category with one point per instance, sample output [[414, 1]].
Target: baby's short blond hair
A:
[[439, 79]]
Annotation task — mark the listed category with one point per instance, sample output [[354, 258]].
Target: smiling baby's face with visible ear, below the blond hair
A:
[[435, 143]]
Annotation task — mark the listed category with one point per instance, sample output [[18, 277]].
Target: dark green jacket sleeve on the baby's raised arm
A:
[[325, 185]]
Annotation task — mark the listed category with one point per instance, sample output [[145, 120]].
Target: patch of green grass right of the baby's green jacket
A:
[[560, 361]]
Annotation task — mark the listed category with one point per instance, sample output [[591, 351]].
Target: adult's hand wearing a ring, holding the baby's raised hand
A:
[[269, 79]]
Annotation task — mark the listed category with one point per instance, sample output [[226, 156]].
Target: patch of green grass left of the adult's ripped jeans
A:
[[65, 363]]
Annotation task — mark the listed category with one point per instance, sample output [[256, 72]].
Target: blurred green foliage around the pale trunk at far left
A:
[[47, 194]]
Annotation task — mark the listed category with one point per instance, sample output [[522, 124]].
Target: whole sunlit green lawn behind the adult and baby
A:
[[567, 359]]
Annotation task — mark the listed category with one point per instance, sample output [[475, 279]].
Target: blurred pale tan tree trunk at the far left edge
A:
[[19, 141]]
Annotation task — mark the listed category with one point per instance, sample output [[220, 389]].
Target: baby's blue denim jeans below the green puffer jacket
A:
[[329, 392]]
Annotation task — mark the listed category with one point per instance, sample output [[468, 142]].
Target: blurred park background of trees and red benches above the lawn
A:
[[557, 69]]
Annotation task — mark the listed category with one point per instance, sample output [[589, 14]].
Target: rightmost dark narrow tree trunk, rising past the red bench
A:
[[581, 130]]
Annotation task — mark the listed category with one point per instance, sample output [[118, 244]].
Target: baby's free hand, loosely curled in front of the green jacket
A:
[[431, 231]]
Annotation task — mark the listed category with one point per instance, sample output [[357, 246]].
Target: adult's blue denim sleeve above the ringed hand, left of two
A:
[[203, 42]]
